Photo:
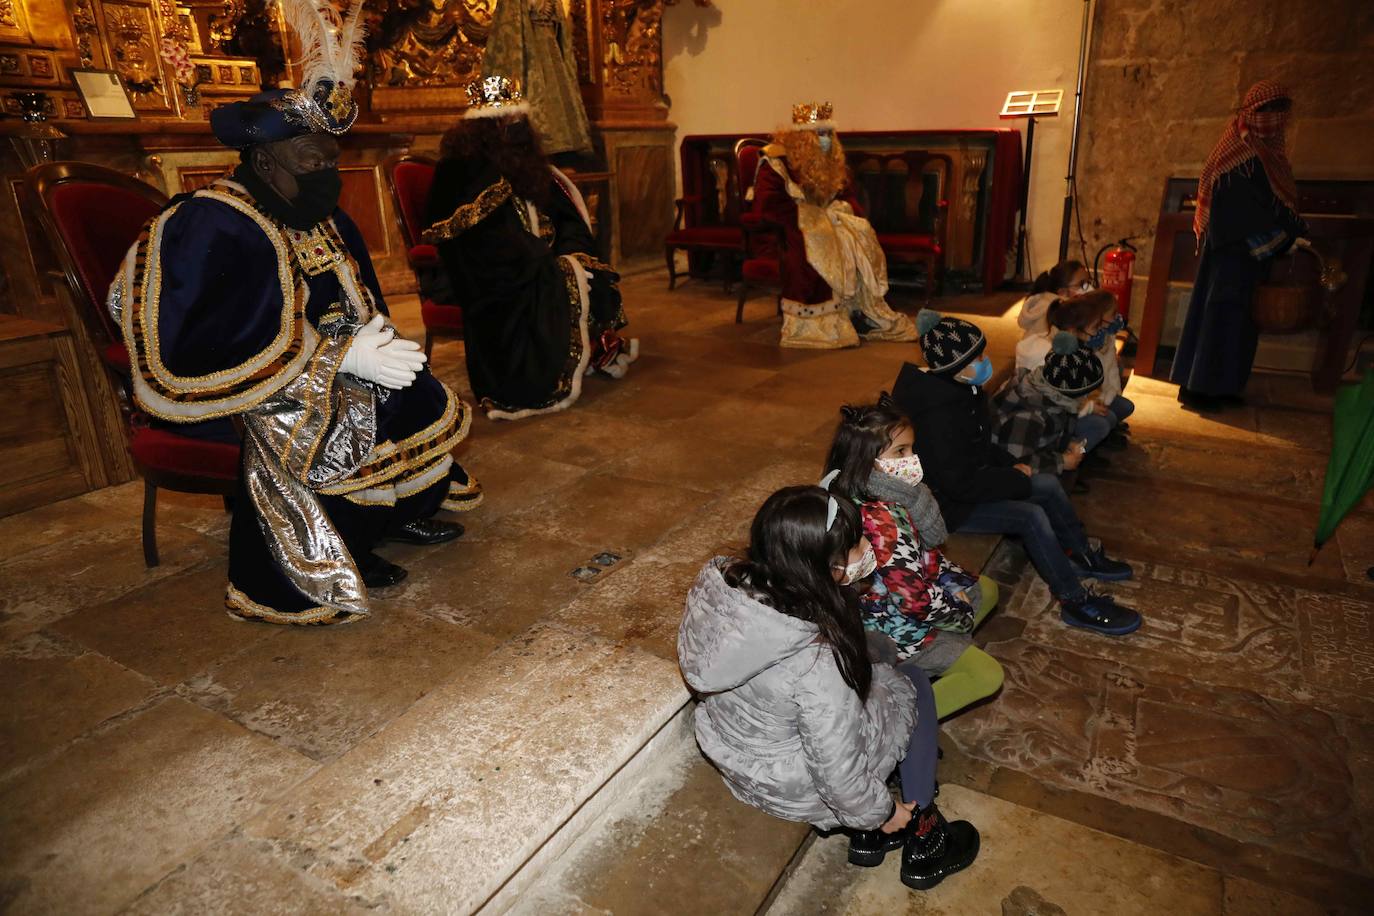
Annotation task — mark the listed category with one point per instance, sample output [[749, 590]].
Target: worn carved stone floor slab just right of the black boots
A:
[[1251, 767]]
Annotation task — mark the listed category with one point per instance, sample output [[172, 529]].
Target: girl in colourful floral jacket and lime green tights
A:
[[919, 598]]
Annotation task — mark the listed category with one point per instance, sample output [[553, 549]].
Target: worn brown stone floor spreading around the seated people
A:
[[159, 757]]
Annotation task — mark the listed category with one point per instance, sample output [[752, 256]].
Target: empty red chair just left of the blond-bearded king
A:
[[708, 215]]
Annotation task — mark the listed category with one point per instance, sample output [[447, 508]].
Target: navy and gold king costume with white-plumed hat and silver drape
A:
[[232, 311]]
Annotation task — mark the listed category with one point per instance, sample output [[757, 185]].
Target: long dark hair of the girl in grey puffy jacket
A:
[[789, 564]]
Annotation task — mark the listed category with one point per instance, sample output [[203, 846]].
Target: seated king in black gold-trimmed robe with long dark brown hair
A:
[[541, 308]]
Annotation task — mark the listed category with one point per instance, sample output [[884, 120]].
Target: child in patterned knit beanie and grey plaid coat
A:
[[1037, 415]]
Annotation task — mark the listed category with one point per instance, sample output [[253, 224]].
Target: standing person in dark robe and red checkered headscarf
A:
[[1247, 215]]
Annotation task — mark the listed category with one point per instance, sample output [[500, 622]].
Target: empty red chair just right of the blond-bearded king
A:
[[891, 187]]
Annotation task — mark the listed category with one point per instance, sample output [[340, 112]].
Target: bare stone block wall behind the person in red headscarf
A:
[[1166, 75]]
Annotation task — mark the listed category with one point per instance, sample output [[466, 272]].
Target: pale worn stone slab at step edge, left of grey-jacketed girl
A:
[[460, 790]]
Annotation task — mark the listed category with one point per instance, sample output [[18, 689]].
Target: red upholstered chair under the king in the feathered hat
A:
[[91, 216]]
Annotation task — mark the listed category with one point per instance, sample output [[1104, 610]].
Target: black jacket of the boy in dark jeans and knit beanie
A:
[[954, 440]]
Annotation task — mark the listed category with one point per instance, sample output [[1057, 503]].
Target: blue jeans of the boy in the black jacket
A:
[[1046, 525]]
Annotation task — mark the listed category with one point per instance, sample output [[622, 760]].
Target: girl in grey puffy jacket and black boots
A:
[[792, 712]]
